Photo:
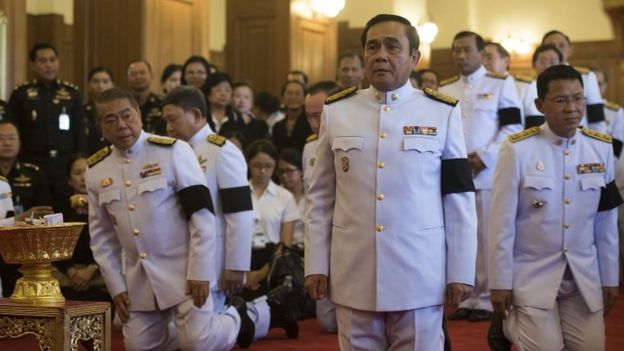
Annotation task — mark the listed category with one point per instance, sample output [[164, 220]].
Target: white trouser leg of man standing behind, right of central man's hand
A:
[[480, 298]]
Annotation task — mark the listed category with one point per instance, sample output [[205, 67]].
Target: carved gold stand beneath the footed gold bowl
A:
[[58, 327]]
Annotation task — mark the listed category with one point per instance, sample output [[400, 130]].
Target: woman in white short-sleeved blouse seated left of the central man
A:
[[275, 210]]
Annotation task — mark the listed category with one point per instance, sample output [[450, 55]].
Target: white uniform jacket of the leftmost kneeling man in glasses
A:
[[136, 201]]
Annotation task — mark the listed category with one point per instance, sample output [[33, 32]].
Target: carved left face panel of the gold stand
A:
[[41, 328]]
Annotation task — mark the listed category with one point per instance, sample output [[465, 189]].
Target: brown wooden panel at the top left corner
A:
[[15, 11]]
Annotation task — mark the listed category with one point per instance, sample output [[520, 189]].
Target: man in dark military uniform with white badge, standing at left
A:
[[49, 116]]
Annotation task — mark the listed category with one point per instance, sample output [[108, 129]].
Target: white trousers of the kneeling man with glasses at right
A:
[[568, 326]]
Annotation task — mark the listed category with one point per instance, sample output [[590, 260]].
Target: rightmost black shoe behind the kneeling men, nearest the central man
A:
[[281, 303]]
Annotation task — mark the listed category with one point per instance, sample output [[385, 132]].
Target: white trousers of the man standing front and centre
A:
[[414, 330]]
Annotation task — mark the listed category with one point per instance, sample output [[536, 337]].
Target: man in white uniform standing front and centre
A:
[[391, 223]]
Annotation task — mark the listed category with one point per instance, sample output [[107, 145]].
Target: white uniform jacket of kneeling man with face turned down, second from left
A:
[[226, 176]]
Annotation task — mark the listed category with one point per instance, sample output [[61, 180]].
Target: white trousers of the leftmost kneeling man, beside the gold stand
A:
[[195, 328]]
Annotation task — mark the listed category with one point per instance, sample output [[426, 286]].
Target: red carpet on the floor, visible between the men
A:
[[465, 336]]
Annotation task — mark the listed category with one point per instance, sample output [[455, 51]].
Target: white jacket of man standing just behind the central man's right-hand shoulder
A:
[[491, 111]]
